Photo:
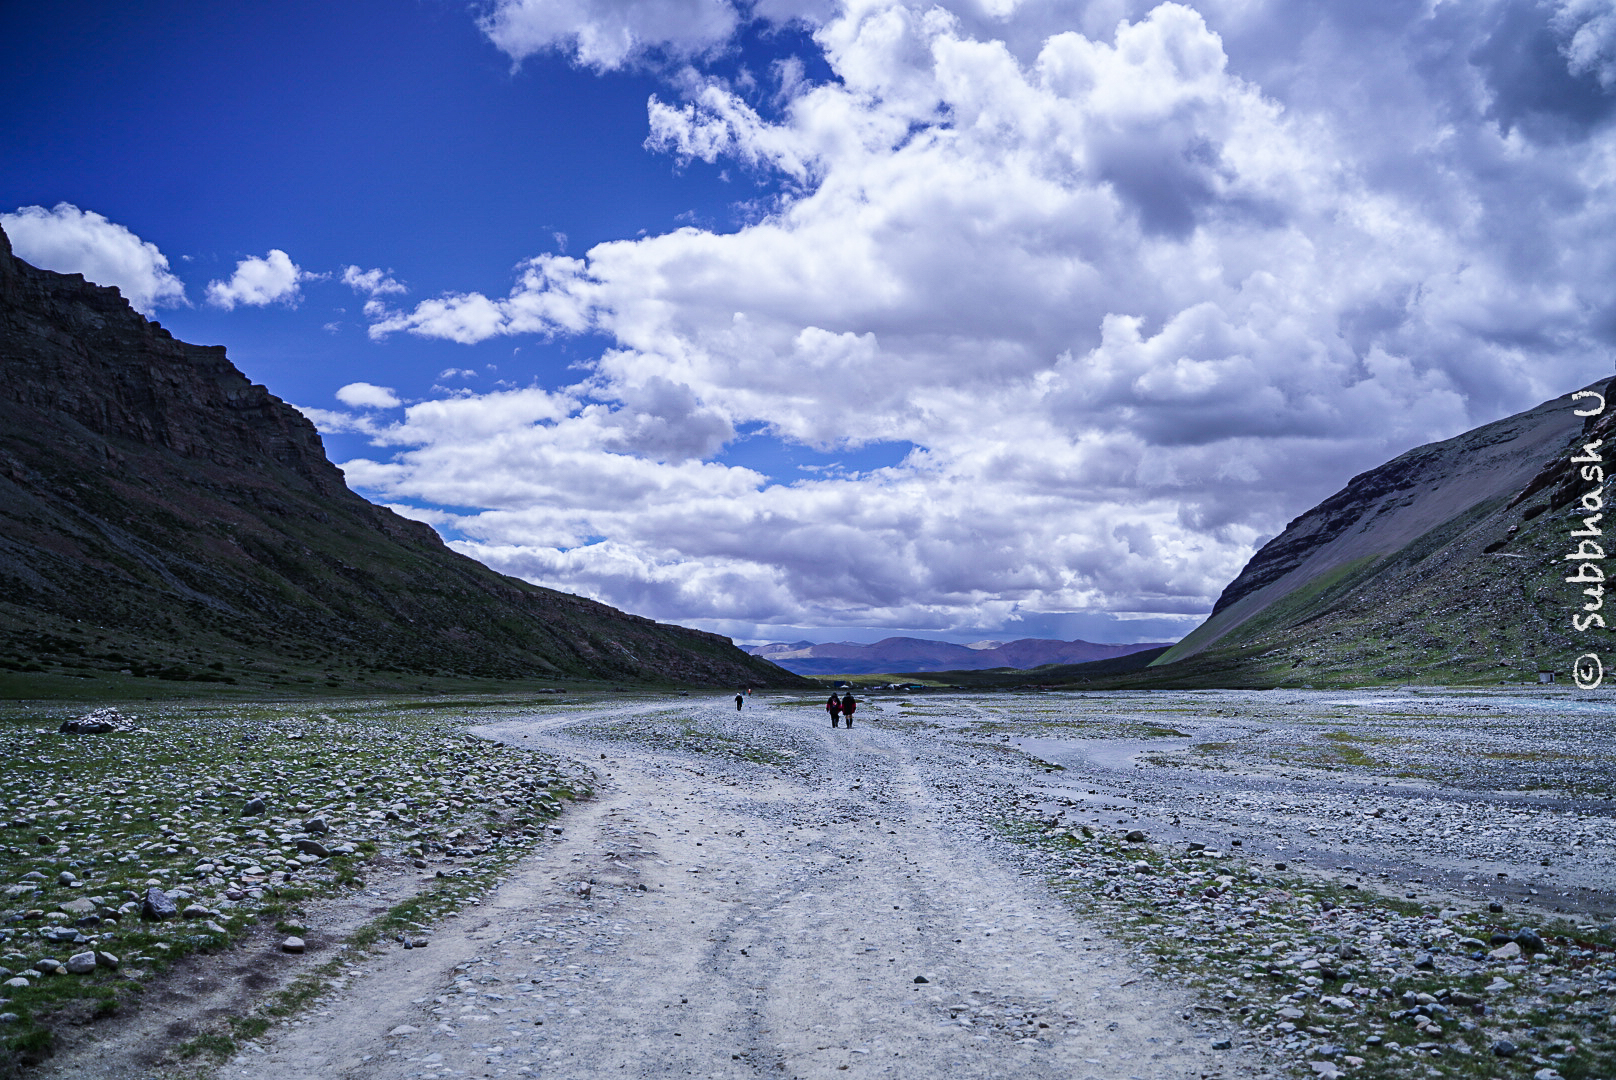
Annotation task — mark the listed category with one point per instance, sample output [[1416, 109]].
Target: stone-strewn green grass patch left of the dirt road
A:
[[88, 824]]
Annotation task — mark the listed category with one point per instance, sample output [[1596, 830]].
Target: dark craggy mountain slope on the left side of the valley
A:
[[166, 520]]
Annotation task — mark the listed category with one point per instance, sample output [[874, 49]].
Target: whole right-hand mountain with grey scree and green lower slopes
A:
[[1446, 565]]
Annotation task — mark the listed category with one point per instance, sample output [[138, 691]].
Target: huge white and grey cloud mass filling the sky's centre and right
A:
[[1132, 287]]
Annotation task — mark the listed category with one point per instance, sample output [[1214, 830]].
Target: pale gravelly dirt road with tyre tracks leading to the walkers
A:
[[755, 896]]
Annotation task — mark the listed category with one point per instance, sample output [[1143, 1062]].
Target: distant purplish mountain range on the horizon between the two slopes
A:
[[914, 654]]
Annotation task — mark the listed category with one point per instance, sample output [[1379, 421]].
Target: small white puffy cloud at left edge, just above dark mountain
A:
[[70, 240]]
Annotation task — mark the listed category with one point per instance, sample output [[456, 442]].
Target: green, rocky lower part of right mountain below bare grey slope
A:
[[1476, 599]]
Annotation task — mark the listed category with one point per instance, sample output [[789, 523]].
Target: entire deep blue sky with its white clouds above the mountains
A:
[[844, 319]]
